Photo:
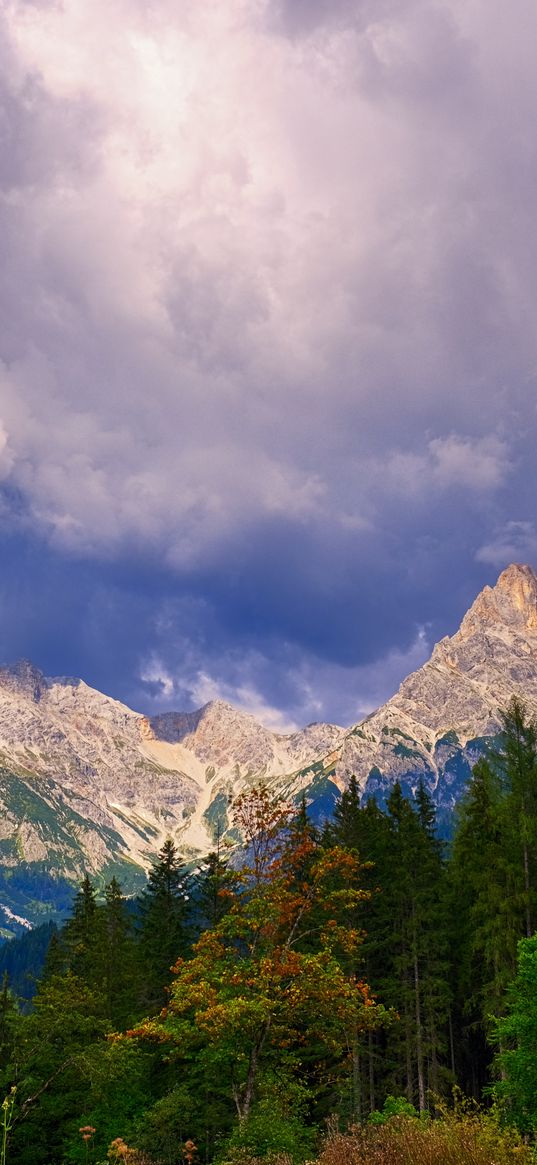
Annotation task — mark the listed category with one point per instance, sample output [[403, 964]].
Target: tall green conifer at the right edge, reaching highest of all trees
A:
[[494, 884]]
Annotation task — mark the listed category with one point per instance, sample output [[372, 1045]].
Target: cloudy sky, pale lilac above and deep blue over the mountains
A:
[[268, 344]]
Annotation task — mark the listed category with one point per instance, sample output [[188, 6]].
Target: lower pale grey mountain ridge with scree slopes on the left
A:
[[89, 785]]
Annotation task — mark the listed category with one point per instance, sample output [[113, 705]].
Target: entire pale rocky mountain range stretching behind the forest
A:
[[89, 785]]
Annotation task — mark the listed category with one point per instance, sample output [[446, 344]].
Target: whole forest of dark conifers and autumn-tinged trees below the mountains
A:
[[340, 985]]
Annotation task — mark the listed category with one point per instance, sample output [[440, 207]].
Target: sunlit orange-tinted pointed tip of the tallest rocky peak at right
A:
[[511, 604]]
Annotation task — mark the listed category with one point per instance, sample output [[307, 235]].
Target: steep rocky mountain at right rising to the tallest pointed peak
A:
[[444, 715]]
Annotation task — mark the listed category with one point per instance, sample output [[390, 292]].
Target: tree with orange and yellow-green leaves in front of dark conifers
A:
[[271, 980]]
